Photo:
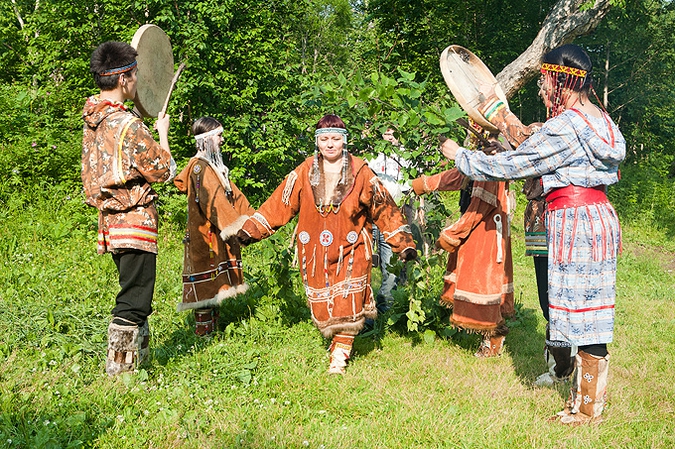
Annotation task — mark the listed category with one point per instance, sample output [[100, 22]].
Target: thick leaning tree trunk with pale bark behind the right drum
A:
[[564, 23]]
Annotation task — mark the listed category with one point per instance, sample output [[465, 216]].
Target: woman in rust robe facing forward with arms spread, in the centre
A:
[[337, 199]]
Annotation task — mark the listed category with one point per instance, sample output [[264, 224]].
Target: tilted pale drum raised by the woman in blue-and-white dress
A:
[[464, 73]]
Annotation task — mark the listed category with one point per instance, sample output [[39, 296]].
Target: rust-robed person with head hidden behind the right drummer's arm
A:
[[478, 283]]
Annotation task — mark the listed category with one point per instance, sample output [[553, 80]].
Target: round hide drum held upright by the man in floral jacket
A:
[[155, 69]]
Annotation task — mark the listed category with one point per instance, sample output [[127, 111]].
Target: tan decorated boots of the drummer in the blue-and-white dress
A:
[[588, 392]]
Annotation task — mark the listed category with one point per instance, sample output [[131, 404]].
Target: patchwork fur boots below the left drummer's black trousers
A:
[[124, 348]]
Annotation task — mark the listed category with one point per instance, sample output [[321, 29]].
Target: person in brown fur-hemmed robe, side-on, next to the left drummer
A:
[[212, 269]]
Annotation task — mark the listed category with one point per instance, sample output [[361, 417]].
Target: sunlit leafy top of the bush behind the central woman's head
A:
[[369, 105]]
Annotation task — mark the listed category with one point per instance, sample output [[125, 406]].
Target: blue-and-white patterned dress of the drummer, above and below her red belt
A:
[[583, 241]]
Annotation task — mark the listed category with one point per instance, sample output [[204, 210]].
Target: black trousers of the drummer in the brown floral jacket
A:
[[137, 271]]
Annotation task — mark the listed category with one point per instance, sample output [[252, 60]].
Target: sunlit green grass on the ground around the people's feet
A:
[[261, 381]]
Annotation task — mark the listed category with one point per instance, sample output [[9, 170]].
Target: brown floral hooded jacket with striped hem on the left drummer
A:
[[120, 159]]
